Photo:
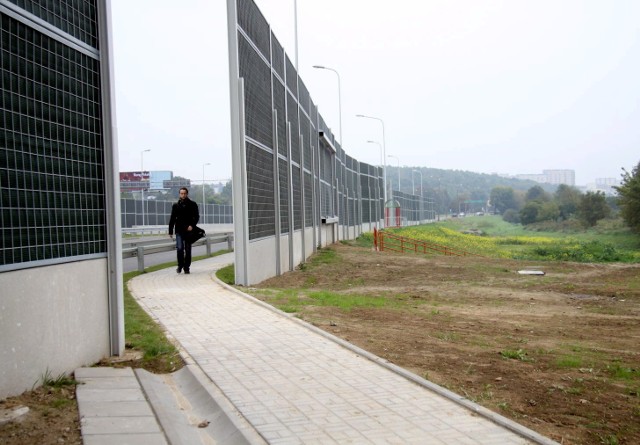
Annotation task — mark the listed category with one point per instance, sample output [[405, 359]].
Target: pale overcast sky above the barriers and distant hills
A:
[[512, 86]]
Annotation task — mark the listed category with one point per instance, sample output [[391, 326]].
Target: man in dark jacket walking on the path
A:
[[184, 217]]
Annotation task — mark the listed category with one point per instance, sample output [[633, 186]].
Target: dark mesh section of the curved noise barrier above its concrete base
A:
[[337, 182]]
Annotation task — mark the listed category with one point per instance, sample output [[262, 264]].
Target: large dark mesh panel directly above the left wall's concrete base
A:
[[51, 171]]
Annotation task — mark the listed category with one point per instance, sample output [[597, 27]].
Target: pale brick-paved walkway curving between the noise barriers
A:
[[298, 385]]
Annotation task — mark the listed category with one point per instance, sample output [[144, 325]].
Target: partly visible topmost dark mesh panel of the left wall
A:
[[77, 18]]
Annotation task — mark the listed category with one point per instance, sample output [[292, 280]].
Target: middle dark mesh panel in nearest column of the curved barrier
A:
[[257, 94]]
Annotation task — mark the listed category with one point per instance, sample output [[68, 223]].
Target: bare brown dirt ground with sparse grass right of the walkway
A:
[[558, 353]]
